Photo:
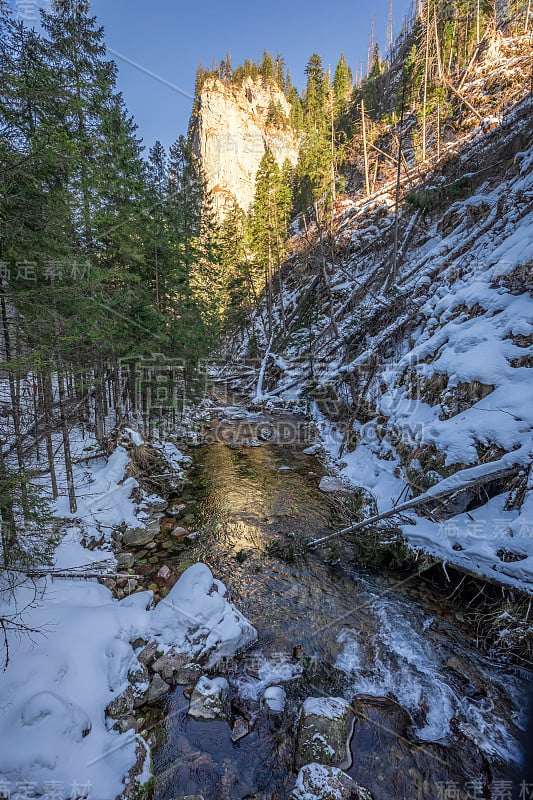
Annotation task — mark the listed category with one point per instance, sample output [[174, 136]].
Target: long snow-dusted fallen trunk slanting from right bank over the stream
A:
[[478, 478]]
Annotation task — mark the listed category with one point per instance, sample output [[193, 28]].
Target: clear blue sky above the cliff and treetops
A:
[[170, 38]]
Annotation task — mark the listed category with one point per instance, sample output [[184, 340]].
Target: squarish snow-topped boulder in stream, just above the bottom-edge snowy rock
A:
[[324, 732]]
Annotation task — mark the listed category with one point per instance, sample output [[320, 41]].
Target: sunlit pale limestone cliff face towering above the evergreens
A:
[[231, 132]]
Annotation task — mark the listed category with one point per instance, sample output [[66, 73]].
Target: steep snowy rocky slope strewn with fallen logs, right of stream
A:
[[425, 381]]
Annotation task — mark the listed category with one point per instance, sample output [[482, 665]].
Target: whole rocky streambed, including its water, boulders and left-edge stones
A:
[[356, 687]]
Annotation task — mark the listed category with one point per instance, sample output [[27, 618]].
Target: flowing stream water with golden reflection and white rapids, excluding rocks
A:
[[433, 713]]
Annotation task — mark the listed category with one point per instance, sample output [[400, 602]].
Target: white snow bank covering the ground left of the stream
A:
[[60, 679]]
